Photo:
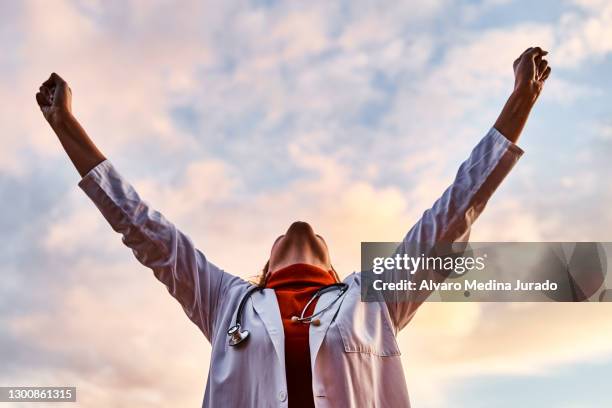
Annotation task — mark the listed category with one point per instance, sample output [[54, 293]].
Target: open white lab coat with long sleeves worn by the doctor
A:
[[355, 359]]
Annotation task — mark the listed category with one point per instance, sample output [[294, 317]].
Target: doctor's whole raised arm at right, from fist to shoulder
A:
[[451, 216]]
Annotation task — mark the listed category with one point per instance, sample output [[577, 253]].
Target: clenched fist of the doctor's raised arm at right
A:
[[531, 70]]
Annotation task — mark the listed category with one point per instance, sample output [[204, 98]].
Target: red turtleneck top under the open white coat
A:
[[294, 286]]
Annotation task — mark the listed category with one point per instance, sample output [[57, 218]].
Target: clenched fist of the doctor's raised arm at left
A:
[[54, 98]]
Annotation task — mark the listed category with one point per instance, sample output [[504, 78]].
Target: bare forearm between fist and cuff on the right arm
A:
[[515, 113]]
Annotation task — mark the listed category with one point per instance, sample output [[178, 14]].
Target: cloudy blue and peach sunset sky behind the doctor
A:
[[236, 118]]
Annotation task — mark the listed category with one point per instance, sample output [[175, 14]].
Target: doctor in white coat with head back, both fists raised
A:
[[301, 337]]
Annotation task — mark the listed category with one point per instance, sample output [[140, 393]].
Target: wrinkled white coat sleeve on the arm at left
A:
[[195, 282]]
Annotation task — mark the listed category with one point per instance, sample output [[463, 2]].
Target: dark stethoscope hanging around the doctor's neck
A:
[[237, 336]]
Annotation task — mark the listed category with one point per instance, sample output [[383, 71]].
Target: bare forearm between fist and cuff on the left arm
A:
[[80, 148]]
